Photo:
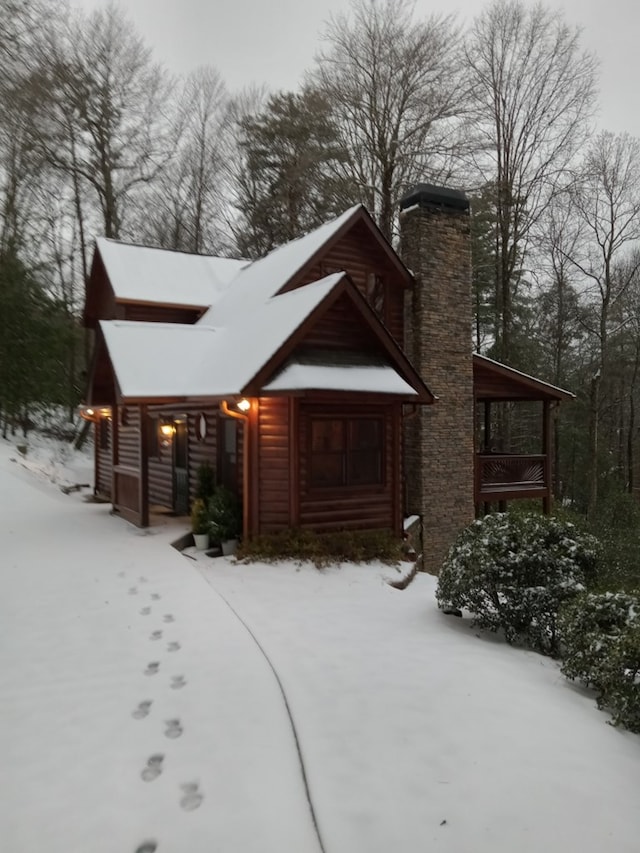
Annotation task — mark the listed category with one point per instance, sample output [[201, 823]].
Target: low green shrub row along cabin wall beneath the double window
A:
[[322, 549]]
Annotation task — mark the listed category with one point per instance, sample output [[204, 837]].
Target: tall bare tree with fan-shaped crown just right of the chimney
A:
[[533, 93]]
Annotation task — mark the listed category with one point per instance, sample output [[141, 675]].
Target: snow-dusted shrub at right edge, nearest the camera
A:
[[600, 637]]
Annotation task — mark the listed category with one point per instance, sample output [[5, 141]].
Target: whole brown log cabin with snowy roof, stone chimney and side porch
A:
[[330, 384]]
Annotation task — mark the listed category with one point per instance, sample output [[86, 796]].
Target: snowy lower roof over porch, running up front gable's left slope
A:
[[153, 360]]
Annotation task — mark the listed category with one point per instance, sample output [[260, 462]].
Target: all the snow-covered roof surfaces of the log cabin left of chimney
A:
[[247, 323]]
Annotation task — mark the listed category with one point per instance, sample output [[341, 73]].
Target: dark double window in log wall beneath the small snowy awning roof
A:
[[346, 451]]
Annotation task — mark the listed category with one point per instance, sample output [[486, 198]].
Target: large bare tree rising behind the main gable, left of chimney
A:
[[395, 86]]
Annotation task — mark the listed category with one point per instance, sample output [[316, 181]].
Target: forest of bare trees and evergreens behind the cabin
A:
[[98, 138]]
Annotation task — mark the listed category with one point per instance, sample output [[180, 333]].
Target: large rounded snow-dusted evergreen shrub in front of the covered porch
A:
[[513, 572]]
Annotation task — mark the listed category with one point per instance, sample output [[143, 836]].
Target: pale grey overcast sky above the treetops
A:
[[274, 41]]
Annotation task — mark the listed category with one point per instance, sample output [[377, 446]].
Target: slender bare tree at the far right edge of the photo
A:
[[607, 202]]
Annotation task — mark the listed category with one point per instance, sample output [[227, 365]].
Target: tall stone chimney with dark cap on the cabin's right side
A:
[[439, 439]]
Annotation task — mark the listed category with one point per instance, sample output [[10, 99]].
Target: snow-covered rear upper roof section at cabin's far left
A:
[[143, 274]]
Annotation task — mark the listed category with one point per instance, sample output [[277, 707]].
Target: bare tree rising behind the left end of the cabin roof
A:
[[104, 119]]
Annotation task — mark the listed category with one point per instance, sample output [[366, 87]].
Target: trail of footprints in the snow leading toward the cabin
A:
[[191, 796]]
